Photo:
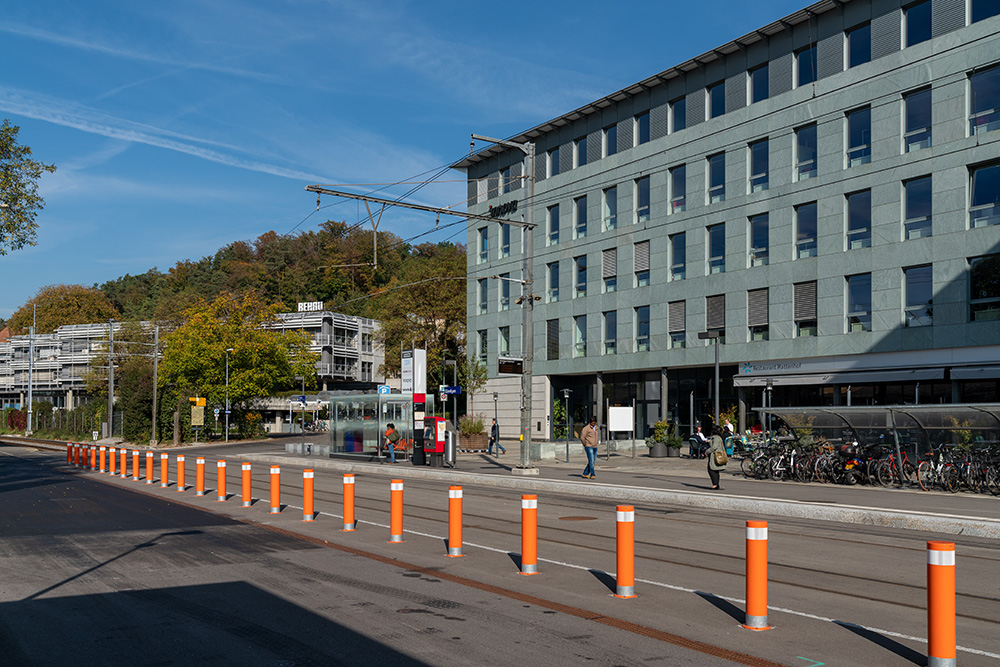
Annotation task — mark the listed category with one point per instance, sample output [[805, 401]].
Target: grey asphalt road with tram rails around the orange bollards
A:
[[124, 573]]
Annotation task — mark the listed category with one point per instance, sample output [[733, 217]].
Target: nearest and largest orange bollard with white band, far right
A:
[[941, 629]]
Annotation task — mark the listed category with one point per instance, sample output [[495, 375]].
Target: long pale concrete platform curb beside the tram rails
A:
[[946, 524]]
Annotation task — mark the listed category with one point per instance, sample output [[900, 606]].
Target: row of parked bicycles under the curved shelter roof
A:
[[946, 467]]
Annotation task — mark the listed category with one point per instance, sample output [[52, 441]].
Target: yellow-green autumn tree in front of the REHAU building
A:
[[262, 361]]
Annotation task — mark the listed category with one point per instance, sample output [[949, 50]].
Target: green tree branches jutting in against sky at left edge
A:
[[19, 198]]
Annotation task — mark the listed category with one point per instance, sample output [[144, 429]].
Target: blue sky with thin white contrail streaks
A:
[[182, 126]]
